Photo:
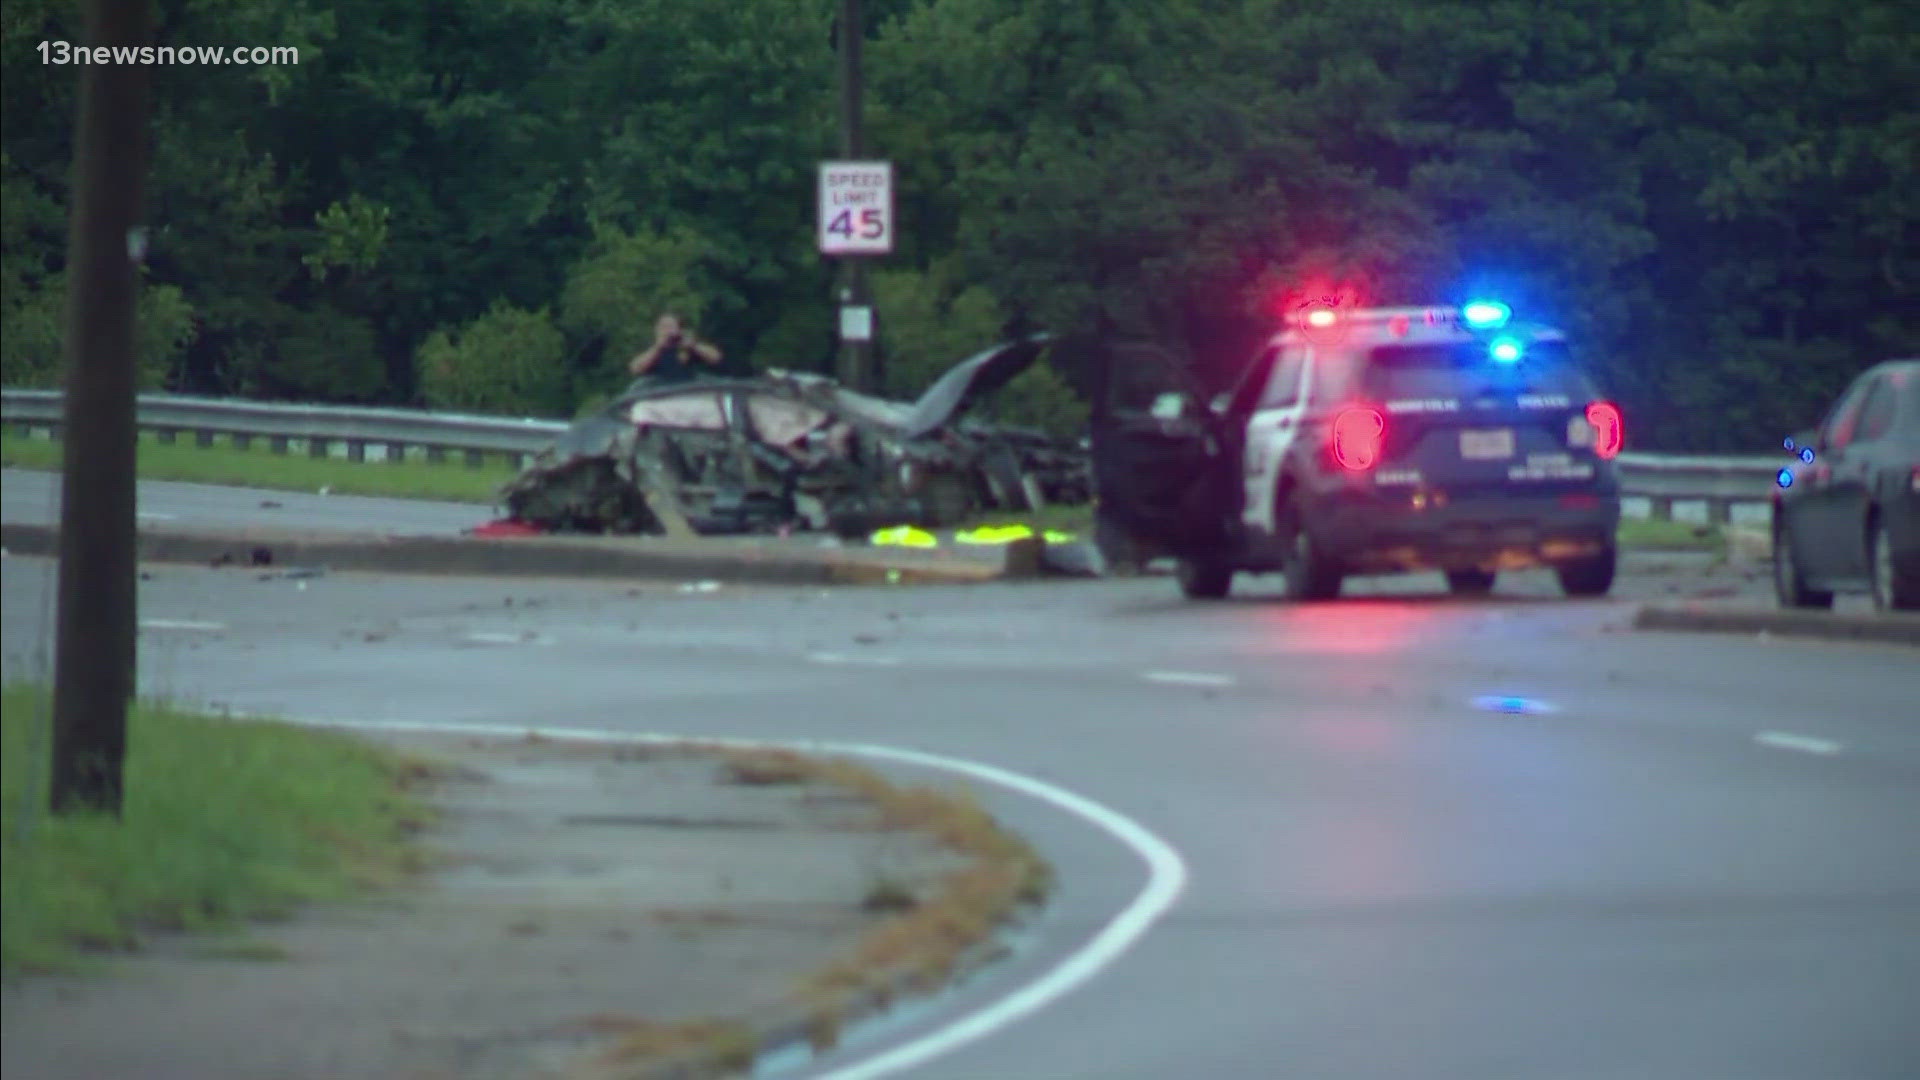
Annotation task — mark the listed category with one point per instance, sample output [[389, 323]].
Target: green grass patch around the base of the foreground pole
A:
[[222, 822]]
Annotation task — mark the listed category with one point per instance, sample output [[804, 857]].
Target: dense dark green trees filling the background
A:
[[483, 203]]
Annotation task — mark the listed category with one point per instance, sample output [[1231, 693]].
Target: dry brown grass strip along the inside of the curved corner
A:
[[923, 943]]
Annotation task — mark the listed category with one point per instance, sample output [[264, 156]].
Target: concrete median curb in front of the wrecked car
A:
[[562, 556]]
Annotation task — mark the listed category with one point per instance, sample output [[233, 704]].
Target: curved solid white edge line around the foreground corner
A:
[[1166, 875]]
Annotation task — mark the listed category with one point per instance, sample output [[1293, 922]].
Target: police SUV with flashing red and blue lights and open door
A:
[[1378, 441]]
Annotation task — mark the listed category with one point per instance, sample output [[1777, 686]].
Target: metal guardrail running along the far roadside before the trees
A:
[[396, 435]]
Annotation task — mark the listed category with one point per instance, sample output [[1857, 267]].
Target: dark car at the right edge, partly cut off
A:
[[1848, 508]]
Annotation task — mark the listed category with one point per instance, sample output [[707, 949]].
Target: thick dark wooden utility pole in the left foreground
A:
[[95, 639]]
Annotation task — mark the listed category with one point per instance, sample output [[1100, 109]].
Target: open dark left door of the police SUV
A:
[[1159, 460]]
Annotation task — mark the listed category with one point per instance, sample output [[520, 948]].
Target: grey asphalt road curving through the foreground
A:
[[1696, 858]]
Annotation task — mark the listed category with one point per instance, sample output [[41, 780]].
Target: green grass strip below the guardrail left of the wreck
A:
[[260, 468]]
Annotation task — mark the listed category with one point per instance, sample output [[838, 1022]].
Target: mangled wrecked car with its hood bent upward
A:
[[796, 451]]
